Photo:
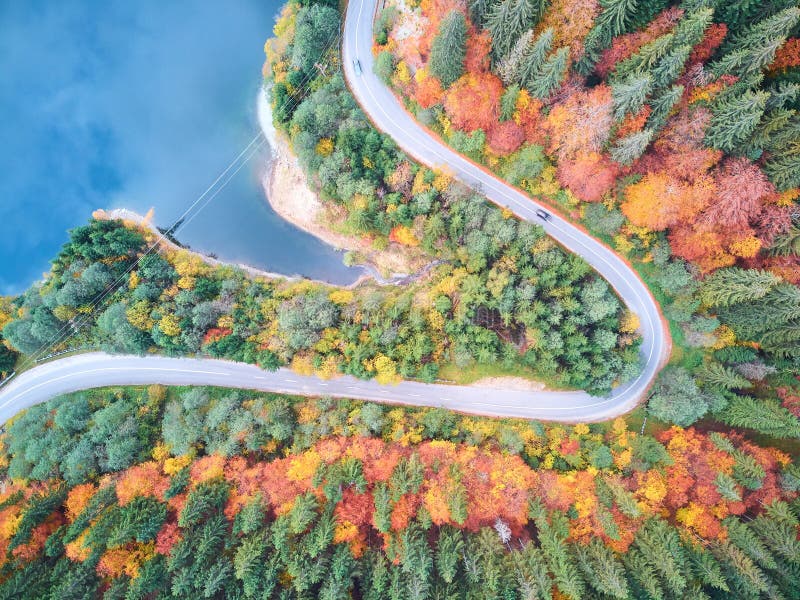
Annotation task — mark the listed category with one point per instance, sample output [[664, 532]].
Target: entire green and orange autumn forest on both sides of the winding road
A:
[[668, 129]]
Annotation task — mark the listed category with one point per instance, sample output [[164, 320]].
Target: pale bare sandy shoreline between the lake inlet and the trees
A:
[[288, 192]]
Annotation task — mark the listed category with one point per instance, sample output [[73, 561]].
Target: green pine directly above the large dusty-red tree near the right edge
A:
[[734, 120]]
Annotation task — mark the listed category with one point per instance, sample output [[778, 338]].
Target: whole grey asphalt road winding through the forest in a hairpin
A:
[[387, 113]]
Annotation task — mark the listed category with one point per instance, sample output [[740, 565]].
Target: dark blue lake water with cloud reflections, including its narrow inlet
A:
[[138, 105]]
